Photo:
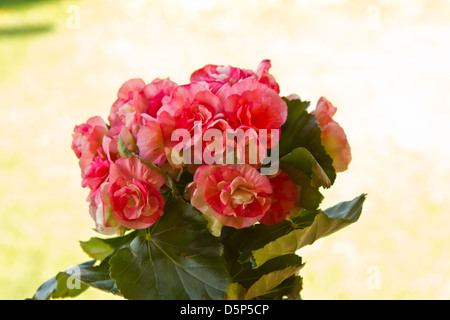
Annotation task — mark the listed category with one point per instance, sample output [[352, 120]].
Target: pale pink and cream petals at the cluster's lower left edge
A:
[[100, 211]]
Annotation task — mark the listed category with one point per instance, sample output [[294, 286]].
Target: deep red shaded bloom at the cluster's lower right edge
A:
[[284, 198]]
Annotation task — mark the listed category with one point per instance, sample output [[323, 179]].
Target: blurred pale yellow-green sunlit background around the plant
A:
[[384, 64]]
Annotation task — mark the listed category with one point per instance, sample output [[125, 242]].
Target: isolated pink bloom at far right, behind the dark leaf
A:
[[333, 136]]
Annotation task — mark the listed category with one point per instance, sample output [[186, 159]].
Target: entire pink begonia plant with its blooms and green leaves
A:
[[206, 190]]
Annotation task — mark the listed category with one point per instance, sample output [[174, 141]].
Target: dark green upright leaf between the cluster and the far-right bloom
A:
[[302, 130]]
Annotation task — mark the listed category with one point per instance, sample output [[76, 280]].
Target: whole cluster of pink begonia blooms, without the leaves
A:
[[159, 133]]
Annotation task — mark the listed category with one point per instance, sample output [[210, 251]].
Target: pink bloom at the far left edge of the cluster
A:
[[87, 139]]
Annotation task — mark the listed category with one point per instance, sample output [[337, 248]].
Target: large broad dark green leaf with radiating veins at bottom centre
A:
[[176, 258]]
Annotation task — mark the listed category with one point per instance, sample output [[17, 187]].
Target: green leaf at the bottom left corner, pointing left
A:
[[75, 280]]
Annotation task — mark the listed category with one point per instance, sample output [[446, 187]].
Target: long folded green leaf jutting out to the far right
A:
[[324, 224]]
